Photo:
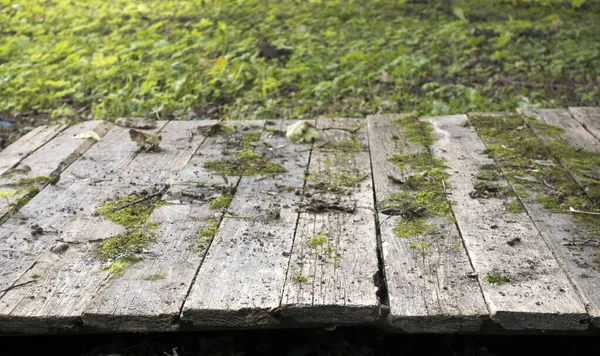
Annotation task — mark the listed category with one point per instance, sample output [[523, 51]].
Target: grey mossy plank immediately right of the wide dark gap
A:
[[428, 292]]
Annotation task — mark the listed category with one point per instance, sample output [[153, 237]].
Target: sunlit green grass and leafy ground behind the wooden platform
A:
[[68, 60]]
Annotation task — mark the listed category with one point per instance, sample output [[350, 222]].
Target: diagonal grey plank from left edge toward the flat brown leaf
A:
[[57, 204]]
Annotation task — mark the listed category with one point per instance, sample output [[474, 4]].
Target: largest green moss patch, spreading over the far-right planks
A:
[[533, 167]]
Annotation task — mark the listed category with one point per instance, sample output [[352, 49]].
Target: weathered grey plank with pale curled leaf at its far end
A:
[[241, 280]]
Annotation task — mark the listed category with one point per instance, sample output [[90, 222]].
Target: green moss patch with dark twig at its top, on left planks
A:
[[132, 212]]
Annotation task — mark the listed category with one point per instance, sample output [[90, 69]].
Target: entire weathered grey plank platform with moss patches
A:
[[431, 225]]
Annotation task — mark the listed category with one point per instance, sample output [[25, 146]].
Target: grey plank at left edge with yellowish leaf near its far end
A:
[[52, 158]]
